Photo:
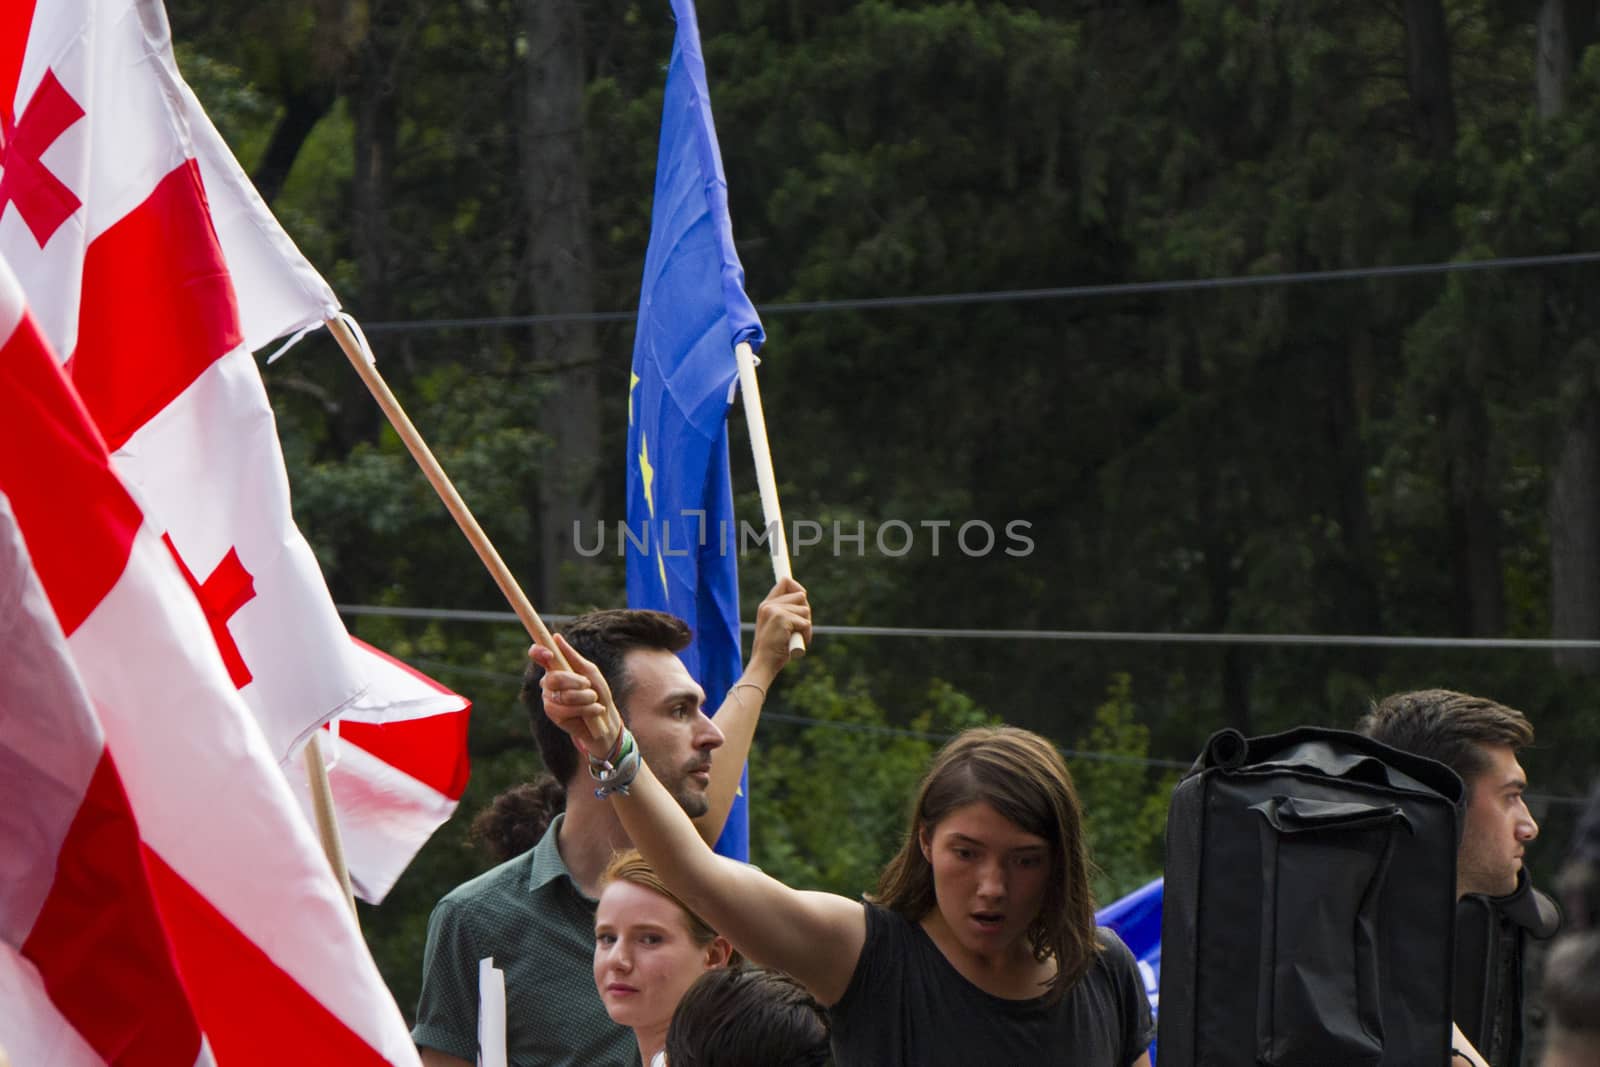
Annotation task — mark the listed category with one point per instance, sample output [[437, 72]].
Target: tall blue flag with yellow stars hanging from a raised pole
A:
[[684, 541]]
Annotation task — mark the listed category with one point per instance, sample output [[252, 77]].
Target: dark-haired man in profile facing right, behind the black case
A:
[[1498, 909]]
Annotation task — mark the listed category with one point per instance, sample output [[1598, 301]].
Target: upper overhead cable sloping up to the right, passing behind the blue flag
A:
[[1055, 294]]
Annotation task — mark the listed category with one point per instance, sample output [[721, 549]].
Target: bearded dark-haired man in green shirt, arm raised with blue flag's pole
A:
[[535, 913]]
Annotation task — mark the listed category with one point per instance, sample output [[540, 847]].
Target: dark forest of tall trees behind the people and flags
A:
[[1398, 455]]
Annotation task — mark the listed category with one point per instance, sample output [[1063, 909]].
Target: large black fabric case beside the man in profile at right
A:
[[1310, 905]]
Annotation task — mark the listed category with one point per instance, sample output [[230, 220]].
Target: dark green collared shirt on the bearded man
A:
[[542, 932]]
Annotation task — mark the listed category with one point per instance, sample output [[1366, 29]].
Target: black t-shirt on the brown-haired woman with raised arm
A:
[[908, 1005]]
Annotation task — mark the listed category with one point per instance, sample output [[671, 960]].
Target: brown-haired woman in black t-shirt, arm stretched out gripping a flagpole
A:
[[980, 945]]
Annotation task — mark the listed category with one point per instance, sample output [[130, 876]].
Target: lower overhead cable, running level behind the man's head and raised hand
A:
[[1121, 637]]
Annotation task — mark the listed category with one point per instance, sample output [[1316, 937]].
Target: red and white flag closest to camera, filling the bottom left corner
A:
[[164, 900]]
